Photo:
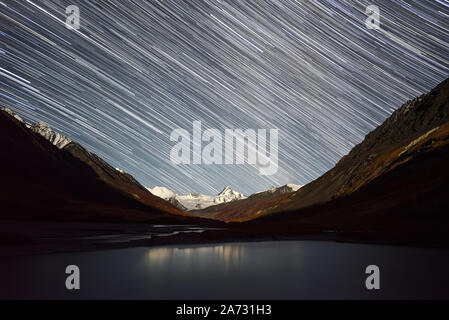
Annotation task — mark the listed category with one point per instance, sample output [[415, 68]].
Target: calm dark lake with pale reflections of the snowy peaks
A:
[[254, 270]]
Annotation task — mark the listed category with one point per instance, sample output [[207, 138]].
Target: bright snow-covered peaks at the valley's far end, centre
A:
[[195, 201]]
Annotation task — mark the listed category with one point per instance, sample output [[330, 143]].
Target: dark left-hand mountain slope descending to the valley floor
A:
[[40, 181]]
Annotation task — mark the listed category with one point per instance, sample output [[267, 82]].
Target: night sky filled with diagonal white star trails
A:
[[136, 70]]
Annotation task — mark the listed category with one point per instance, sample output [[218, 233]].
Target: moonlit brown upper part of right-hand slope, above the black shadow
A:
[[418, 126]]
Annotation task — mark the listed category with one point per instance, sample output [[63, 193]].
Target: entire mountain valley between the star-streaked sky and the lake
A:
[[390, 189]]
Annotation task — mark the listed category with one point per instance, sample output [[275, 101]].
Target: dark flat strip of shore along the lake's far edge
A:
[[208, 237]]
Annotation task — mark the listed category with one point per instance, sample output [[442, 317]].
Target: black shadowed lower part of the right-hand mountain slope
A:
[[408, 204]]
